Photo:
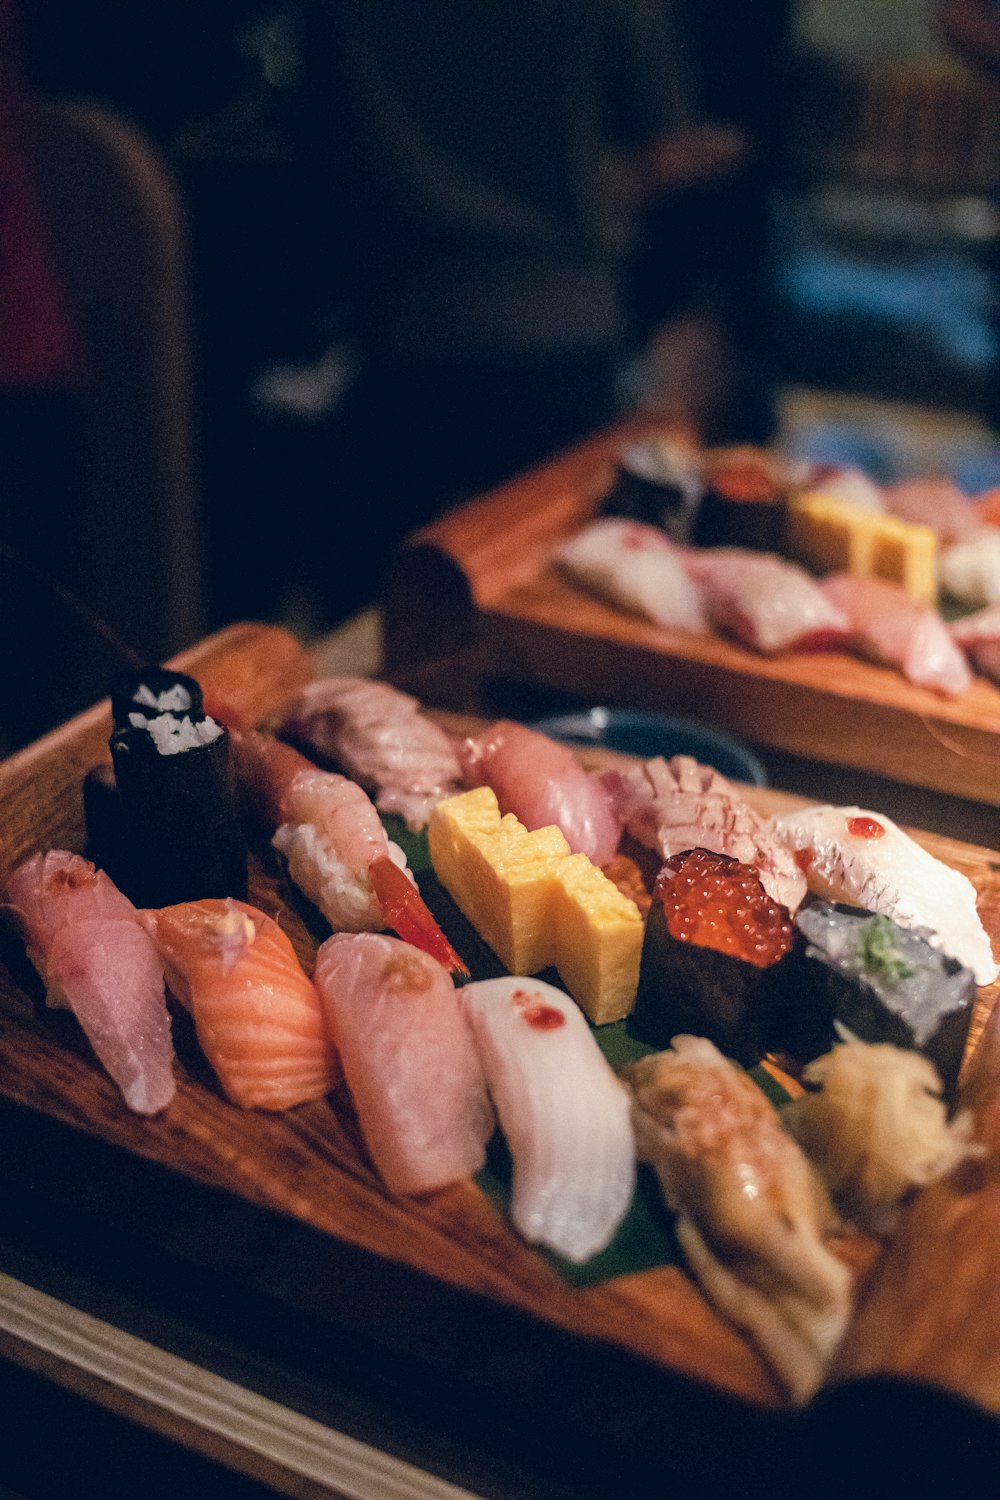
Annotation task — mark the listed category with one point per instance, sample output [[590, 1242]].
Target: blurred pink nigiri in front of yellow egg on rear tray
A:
[[893, 629]]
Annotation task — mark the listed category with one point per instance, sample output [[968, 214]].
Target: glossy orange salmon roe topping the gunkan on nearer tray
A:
[[716, 902]]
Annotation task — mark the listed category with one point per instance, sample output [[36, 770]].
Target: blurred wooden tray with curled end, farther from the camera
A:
[[482, 577]]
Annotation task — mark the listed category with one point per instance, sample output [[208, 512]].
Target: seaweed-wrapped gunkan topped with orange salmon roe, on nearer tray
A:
[[714, 956]]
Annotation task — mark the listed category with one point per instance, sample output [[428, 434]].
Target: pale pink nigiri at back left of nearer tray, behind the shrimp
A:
[[379, 737]]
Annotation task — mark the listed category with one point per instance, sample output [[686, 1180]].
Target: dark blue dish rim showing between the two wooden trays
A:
[[645, 734]]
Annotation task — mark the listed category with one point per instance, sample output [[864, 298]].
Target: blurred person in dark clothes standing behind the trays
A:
[[485, 166]]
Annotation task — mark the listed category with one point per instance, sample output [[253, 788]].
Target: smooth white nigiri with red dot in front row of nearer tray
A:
[[563, 1111]]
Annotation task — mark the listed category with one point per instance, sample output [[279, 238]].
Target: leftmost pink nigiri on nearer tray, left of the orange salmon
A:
[[91, 950]]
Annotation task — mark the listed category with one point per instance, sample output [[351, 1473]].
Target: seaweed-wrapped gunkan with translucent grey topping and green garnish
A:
[[882, 983]]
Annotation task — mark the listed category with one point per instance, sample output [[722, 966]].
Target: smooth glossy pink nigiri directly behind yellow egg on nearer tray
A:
[[543, 785]]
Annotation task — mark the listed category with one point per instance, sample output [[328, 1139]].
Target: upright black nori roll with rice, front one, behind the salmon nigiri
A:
[[181, 827]]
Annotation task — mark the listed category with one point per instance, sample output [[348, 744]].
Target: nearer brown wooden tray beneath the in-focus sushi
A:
[[442, 1282]]
